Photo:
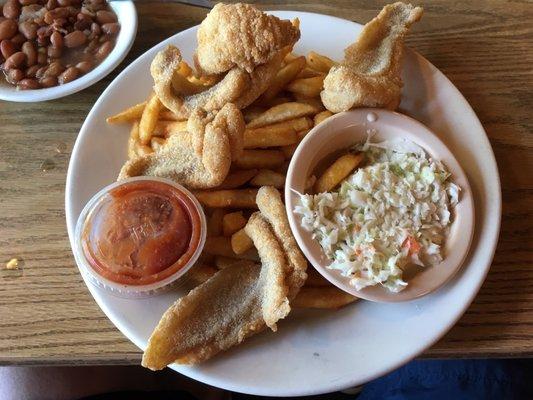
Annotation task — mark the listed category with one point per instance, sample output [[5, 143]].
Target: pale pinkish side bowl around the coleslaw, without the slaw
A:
[[341, 132]]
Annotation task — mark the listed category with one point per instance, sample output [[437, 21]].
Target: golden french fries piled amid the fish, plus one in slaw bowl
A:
[[276, 123]]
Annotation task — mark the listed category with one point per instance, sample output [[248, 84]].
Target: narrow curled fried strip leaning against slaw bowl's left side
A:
[[273, 210]]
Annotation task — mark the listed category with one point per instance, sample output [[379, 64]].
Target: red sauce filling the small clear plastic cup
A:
[[141, 232]]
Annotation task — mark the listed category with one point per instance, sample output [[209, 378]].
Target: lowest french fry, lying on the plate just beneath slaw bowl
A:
[[322, 297]]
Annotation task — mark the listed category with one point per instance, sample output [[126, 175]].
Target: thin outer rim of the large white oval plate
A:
[[345, 382]]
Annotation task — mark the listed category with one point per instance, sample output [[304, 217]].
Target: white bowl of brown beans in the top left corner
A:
[[53, 48]]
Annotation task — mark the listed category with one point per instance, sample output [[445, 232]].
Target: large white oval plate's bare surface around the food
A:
[[313, 351]]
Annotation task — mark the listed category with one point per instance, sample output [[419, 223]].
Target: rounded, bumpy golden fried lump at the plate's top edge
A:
[[240, 35]]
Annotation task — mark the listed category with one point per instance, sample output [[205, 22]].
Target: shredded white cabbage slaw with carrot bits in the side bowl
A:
[[395, 210]]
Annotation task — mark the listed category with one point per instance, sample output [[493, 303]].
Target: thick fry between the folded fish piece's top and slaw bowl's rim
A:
[[280, 134]]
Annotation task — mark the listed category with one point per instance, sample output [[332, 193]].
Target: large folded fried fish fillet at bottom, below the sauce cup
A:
[[238, 301]]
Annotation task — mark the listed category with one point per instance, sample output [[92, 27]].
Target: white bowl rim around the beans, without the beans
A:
[[127, 17]]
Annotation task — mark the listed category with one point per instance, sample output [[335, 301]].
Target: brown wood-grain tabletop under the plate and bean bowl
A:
[[46, 313]]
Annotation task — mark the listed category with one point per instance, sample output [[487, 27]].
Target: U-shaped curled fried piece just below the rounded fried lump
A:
[[163, 69]]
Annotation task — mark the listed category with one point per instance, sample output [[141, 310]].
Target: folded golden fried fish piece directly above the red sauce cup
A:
[[197, 160]]
